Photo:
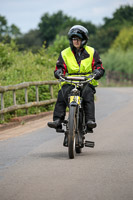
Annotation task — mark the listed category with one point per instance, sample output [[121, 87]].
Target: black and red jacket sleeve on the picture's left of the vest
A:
[[60, 64]]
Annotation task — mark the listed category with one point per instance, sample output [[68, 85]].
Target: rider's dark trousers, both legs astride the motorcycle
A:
[[87, 93]]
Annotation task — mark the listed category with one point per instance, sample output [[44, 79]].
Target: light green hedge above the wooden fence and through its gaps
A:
[[25, 67]]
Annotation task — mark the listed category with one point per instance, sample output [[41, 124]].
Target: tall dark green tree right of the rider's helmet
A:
[[107, 33]]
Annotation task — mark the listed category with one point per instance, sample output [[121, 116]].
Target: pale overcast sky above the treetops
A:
[[26, 14]]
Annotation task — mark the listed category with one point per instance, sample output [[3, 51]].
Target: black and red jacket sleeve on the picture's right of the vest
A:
[[97, 63]]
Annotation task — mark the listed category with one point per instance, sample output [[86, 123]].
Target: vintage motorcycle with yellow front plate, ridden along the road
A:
[[75, 127]]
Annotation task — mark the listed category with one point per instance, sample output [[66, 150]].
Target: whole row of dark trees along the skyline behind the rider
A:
[[101, 37]]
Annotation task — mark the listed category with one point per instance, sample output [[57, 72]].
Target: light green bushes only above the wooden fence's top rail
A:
[[25, 66]]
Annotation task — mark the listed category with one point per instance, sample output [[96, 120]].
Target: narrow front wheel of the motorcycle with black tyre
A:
[[71, 135]]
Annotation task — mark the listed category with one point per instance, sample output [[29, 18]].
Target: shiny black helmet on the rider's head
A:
[[80, 32]]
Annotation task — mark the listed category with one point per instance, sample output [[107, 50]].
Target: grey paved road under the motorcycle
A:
[[35, 165]]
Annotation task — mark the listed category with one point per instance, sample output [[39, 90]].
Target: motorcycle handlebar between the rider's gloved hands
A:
[[72, 79]]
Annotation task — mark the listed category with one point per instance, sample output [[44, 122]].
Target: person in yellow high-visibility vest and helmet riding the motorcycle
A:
[[80, 60]]
